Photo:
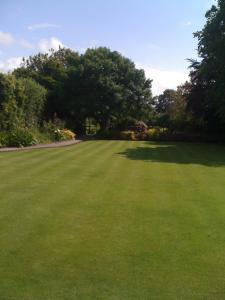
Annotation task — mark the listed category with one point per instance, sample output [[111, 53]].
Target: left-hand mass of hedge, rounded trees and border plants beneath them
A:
[[64, 89]]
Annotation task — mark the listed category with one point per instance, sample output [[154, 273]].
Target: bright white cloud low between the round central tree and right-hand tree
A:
[[164, 79]]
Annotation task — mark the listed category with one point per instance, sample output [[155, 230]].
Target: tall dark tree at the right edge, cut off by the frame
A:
[[206, 99]]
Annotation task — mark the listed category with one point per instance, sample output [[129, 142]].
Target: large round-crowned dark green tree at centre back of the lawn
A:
[[116, 92]]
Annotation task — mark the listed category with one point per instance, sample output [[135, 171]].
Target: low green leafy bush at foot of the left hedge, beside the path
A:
[[20, 138]]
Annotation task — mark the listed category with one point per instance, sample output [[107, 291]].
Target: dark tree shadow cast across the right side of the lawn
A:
[[178, 153]]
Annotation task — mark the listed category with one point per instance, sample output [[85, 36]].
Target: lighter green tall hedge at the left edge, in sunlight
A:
[[21, 102]]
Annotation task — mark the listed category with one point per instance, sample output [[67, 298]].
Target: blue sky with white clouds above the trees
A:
[[156, 34]]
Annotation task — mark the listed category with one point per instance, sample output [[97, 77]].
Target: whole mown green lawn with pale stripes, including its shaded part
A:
[[113, 220]]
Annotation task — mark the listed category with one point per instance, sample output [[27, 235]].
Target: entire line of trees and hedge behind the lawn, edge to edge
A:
[[64, 89]]
